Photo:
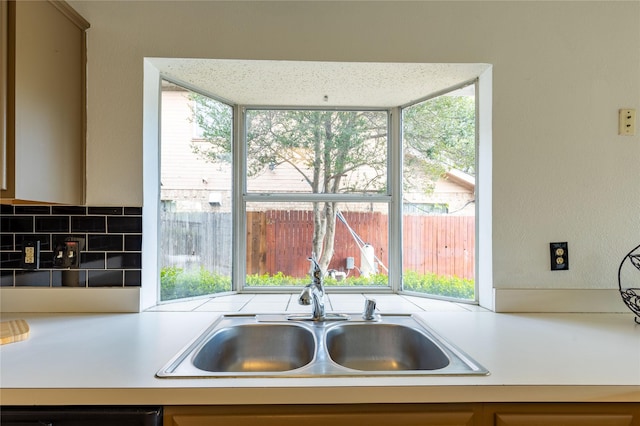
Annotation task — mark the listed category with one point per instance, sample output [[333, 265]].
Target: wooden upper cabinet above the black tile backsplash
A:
[[44, 104]]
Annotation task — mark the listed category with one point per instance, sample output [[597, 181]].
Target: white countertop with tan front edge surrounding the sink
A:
[[113, 358]]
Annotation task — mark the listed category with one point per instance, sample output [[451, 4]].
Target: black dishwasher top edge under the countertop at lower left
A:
[[81, 416]]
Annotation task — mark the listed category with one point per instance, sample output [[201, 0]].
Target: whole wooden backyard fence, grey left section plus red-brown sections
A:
[[280, 241]]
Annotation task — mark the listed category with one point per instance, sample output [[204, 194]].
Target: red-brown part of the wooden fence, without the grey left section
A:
[[280, 241]]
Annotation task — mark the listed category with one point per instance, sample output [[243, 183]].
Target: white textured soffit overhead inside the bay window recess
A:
[[316, 84]]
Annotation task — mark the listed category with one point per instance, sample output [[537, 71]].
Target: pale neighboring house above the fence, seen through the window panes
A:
[[190, 183]]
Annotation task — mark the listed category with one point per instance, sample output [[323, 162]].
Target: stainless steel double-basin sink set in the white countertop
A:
[[278, 346]]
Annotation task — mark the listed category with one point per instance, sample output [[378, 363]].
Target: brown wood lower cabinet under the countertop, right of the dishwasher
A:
[[477, 414]]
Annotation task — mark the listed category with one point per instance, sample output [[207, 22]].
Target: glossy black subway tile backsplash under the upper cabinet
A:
[[111, 256]]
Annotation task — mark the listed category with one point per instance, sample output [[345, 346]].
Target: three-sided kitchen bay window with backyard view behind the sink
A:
[[387, 195]]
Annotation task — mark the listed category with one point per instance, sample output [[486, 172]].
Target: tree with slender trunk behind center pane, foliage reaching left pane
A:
[[334, 152]]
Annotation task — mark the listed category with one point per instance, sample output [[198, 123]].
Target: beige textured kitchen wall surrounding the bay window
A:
[[561, 71]]
